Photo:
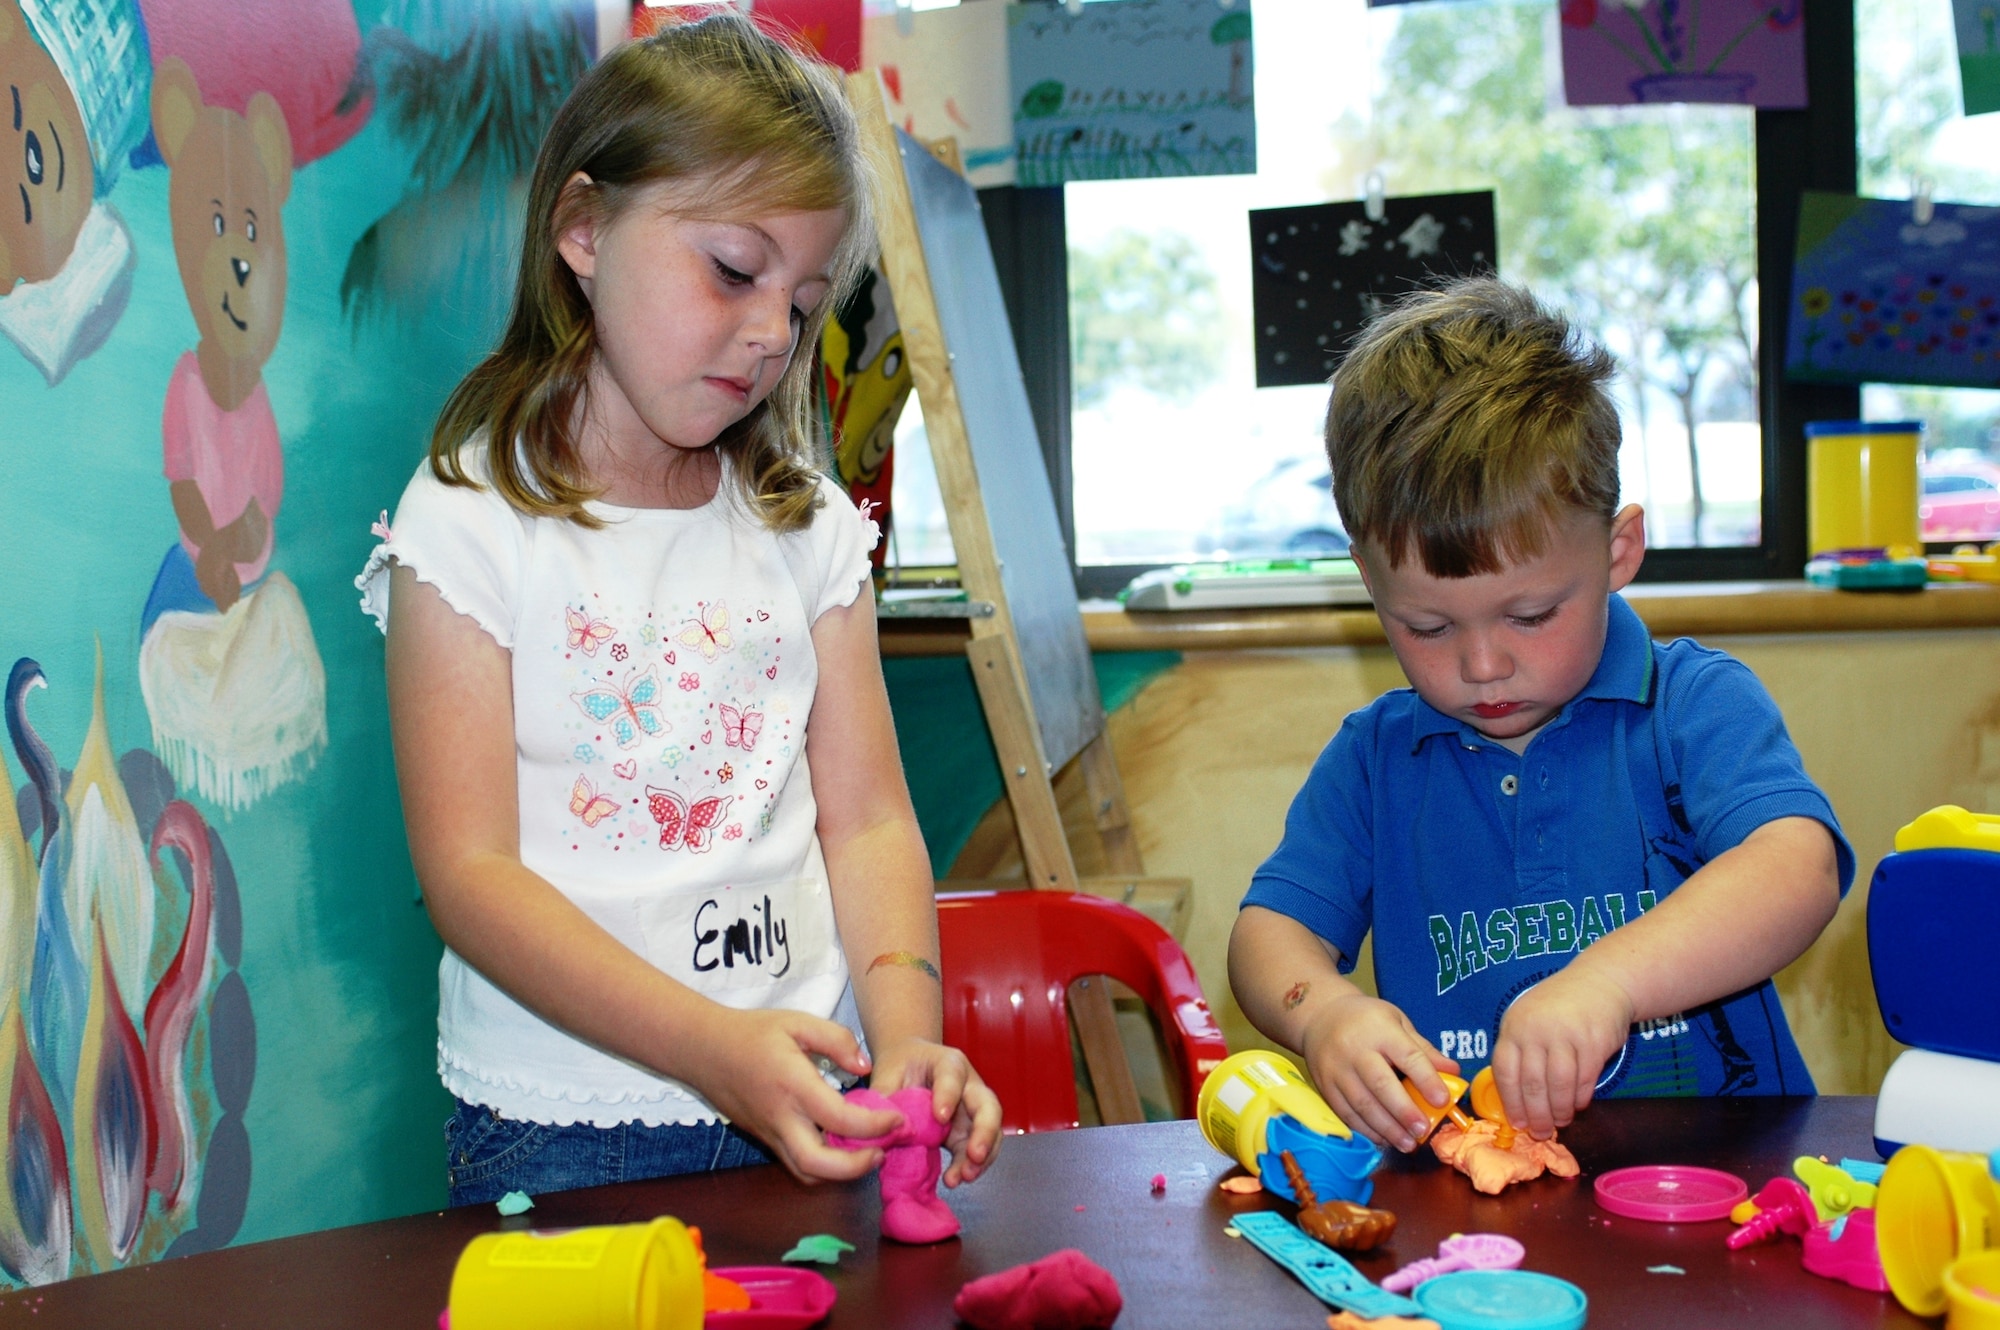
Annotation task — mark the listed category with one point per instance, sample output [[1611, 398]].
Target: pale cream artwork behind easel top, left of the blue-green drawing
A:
[[947, 77]]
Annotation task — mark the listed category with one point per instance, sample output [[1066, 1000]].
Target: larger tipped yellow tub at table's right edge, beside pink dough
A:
[[1933, 1207]]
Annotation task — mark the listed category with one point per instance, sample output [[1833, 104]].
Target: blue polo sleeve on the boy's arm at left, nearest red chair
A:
[[1323, 871]]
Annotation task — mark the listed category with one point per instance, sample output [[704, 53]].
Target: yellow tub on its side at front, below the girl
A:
[[623, 1277]]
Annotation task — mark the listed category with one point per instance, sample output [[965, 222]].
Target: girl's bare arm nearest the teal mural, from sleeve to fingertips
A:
[[453, 723]]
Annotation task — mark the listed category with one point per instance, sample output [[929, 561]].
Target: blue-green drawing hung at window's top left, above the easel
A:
[[1131, 89]]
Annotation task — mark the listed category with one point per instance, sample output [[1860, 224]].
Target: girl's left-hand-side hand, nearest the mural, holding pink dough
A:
[[761, 1077]]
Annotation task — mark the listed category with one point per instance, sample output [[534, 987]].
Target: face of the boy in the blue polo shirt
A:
[[1505, 651]]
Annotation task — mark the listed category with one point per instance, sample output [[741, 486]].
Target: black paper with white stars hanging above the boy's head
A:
[[1323, 271]]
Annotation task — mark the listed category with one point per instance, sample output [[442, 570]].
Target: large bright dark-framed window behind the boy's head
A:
[[1651, 227]]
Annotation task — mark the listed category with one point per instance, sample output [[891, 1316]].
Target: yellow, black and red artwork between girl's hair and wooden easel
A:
[[865, 381]]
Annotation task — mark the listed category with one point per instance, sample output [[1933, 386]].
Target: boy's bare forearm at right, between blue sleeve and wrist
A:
[[1735, 923]]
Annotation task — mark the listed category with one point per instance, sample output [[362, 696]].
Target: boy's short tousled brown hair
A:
[[1463, 423]]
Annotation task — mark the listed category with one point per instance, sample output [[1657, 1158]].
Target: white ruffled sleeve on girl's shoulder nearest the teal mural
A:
[[465, 541]]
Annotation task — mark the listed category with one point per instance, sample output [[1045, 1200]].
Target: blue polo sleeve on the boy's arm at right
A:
[[1737, 761]]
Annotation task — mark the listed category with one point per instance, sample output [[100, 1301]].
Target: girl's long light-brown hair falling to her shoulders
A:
[[749, 125]]
